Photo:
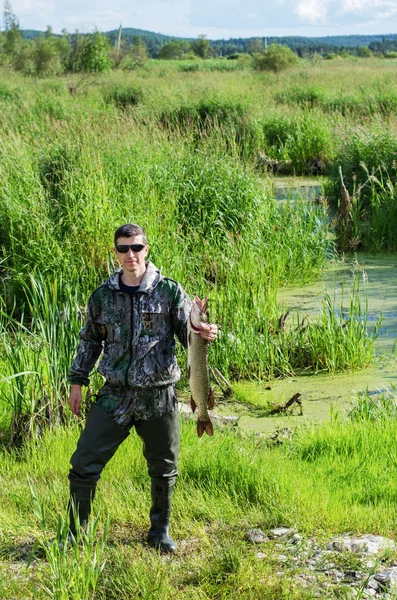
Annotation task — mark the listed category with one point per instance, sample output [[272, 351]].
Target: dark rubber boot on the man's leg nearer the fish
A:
[[158, 536]]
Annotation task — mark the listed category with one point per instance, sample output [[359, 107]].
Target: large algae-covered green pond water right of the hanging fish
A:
[[325, 395]]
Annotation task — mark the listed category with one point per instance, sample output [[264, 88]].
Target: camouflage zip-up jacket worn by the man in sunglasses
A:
[[135, 333]]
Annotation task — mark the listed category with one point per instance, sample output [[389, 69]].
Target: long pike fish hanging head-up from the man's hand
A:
[[202, 396]]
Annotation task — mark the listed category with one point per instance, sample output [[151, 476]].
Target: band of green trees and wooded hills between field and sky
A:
[[36, 53]]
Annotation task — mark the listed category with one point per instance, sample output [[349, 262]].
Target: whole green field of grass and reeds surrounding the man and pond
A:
[[179, 152]]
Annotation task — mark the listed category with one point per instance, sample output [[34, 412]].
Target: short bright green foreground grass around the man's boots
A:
[[317, 482]]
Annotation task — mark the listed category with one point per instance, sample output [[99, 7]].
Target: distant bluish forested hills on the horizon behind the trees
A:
[[301, 45]]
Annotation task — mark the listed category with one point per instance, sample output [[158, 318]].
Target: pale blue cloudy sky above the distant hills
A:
[[216, 19]]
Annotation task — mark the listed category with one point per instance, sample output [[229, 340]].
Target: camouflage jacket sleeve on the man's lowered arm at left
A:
[[89, 348]]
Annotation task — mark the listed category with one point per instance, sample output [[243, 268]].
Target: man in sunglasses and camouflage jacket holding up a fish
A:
[[133, 318]]
